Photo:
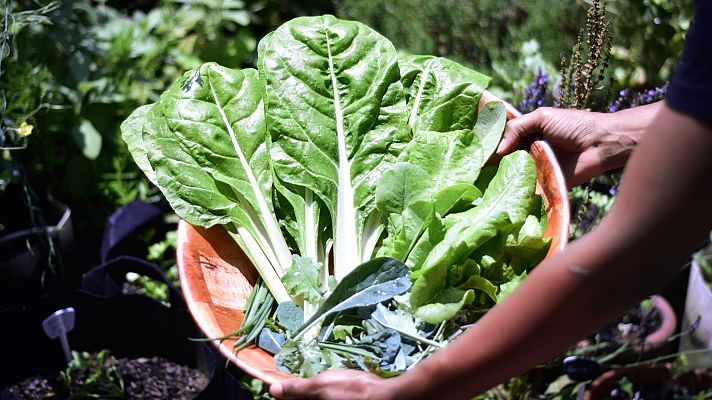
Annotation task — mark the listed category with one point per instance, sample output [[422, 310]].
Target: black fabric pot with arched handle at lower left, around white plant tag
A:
[[129, 326]]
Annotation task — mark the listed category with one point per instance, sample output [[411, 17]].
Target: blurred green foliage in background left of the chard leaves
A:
[[73, 70]]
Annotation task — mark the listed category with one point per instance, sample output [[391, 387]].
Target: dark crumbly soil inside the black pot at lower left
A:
[[144, 378]]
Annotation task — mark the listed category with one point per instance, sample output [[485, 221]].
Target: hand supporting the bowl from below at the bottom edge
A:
[[339, 384]]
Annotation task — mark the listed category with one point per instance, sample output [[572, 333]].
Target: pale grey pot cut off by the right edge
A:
[[698, 304]]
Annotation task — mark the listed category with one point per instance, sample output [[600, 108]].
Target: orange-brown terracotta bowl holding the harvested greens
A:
[[216, 276]]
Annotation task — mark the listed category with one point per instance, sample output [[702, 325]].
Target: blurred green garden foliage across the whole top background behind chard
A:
[[74, 69]]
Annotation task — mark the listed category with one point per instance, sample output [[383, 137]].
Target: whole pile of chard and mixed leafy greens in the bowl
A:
[[336, 148]]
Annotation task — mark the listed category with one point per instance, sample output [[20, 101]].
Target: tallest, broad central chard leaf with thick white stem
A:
[[335, 111]]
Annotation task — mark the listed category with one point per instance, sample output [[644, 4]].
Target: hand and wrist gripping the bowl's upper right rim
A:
[[586, 144]]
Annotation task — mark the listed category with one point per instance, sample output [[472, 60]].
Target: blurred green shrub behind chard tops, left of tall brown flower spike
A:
[[484, 34]]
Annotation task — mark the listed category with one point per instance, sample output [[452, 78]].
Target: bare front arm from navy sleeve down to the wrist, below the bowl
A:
[[661, 213]]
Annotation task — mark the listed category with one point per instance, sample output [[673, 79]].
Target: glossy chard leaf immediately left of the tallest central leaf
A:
[[216, 113]]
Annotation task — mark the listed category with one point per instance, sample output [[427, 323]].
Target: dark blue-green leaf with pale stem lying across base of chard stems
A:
[[370, 283]]
